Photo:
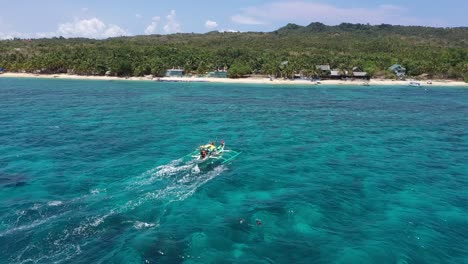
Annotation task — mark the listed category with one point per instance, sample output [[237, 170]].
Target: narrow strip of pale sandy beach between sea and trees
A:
[[372, 82]]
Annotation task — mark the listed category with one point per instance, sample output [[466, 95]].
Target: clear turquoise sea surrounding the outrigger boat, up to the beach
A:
[[90, 172]]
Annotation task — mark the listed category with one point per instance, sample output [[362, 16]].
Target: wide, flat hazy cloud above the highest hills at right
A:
[[306, 12]]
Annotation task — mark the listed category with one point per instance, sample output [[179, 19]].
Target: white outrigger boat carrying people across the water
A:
[[211, 153]]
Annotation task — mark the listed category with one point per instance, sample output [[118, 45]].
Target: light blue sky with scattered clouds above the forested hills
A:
[[105, 18]]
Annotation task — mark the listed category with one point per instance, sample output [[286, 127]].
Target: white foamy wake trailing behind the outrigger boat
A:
[[164, 184]]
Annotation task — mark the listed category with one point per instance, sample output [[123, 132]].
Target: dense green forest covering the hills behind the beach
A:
[[434, 52]]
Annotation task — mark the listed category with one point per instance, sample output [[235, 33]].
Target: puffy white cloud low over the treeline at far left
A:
[[89, 28]]
